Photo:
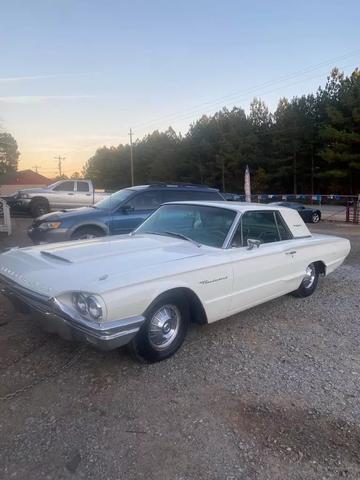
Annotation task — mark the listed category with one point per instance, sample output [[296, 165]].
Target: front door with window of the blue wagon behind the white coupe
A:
[[130, 215]]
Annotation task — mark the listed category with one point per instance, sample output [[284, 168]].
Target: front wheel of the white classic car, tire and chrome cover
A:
[[163, 331]]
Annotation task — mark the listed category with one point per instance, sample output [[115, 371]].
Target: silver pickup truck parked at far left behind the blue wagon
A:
[[60, 195]]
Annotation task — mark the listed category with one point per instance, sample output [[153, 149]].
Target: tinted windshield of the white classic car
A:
[[202, 224]]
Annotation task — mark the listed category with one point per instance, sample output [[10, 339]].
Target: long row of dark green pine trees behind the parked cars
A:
[[310, 144]]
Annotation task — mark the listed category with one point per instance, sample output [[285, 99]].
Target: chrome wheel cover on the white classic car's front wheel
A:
[[164, 326]]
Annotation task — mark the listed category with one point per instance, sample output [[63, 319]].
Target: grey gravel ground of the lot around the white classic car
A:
[[272, 393]]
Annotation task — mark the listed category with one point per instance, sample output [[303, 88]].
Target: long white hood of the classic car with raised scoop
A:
[[92, 265]]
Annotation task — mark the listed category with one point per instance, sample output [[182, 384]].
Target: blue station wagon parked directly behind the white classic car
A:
[[120, 213]]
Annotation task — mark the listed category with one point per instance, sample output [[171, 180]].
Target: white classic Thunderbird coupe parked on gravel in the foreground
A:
[[188, 262]]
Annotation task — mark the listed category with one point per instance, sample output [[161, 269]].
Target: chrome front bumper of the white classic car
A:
[[104, 336]]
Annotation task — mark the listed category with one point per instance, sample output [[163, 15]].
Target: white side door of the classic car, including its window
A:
[[262, 272]]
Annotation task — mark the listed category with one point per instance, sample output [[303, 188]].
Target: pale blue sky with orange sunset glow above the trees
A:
[[76, 75]]
